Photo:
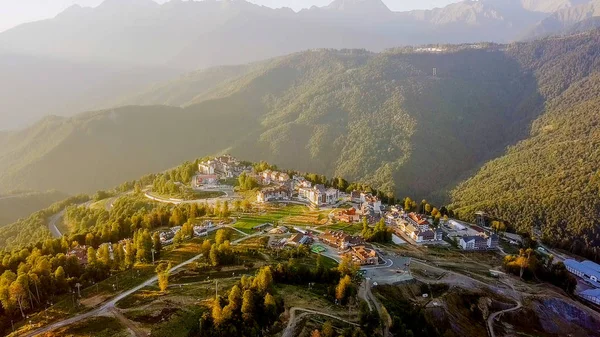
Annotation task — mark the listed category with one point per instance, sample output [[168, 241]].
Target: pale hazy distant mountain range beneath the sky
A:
[[88, 58]]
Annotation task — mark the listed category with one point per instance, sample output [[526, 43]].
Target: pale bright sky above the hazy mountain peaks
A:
[[14, 12]]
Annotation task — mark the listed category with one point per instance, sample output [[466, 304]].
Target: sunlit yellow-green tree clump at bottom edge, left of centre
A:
[[248, 310]]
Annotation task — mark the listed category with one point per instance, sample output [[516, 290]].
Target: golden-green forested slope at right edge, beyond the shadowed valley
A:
[[551, 180]]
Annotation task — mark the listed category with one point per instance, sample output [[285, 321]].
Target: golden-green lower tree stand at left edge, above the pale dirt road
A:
[[32, 278]]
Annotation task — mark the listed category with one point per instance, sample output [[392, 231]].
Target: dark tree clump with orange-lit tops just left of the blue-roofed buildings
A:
[[529, 264]]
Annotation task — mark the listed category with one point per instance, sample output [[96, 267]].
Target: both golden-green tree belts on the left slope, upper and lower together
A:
[[33, 276]]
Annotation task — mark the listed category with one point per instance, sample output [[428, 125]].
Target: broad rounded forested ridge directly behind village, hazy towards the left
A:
[[380, 118]]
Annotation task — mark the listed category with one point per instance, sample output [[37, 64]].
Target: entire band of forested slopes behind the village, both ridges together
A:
[[383, 119]]
